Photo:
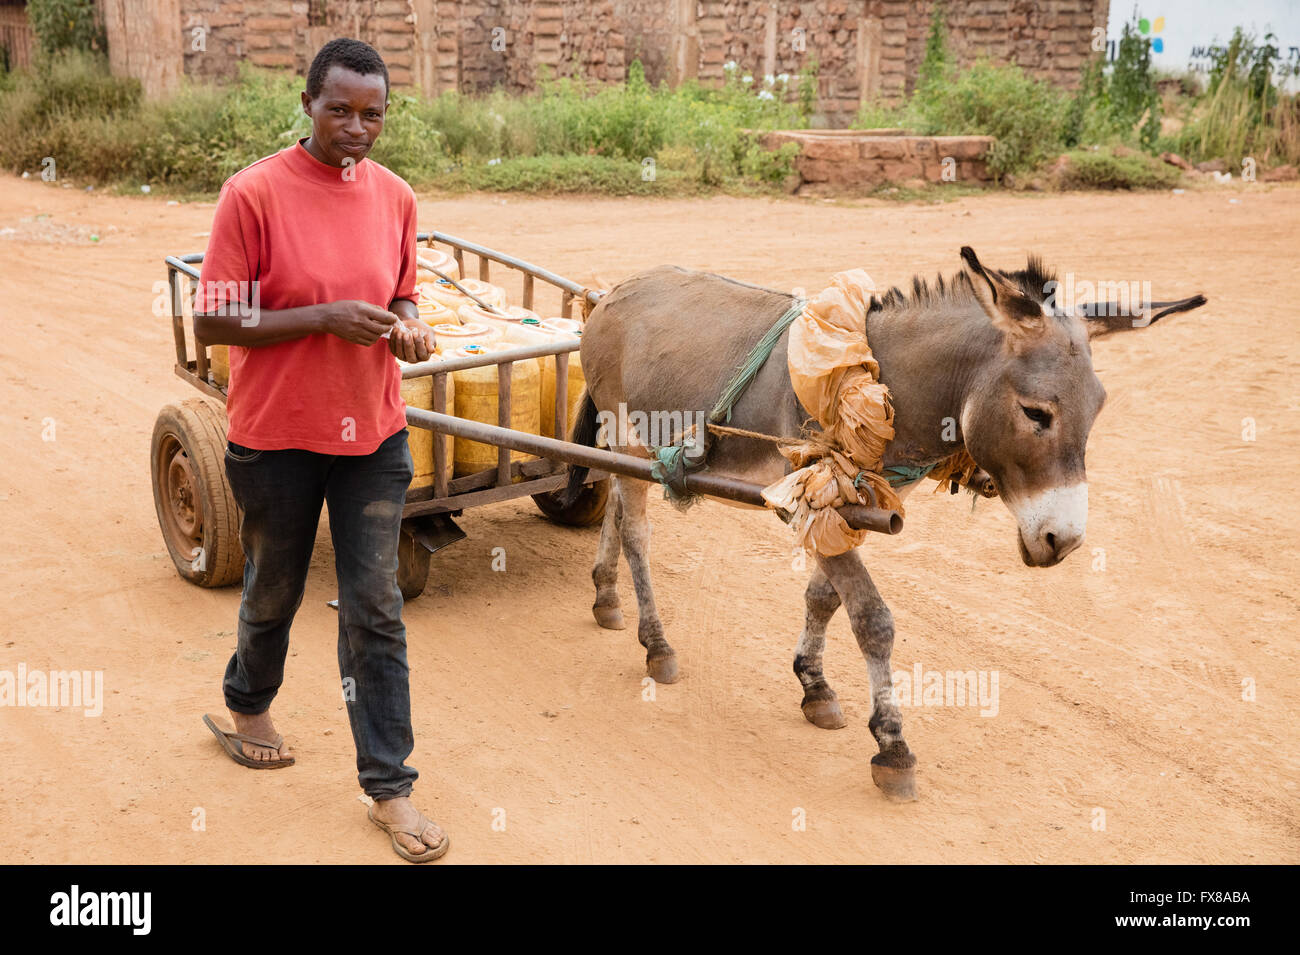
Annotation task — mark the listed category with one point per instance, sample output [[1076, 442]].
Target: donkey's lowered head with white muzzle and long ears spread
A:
[[1032, 403]]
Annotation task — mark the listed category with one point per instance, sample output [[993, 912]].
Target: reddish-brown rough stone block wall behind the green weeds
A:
[[864, 49]]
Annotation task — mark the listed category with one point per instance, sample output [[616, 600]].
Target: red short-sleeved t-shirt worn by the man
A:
[[309, 233]]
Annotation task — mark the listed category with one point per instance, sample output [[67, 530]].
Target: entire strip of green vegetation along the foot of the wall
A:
[[630, 140]]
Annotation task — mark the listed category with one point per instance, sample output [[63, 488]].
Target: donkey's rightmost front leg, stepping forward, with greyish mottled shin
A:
[[894, 770]]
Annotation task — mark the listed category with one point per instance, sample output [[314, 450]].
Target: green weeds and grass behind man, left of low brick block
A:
[[566, 137]]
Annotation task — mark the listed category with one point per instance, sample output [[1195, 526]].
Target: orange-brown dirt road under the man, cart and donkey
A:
[[1149, 687]]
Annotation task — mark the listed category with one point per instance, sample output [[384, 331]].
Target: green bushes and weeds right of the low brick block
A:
[[1116, 111]]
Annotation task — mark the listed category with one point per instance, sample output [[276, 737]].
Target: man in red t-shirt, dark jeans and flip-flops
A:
[[310, 275]]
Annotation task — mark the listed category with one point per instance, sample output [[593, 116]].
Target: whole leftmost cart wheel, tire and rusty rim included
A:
[[196, 509]]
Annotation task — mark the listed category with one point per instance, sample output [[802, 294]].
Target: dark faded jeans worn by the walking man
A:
[[281, 496]]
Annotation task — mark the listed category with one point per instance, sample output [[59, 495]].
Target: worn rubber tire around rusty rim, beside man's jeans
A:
[[201, 429]]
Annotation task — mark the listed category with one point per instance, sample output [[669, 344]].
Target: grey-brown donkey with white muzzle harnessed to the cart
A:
[[987, 361]]
